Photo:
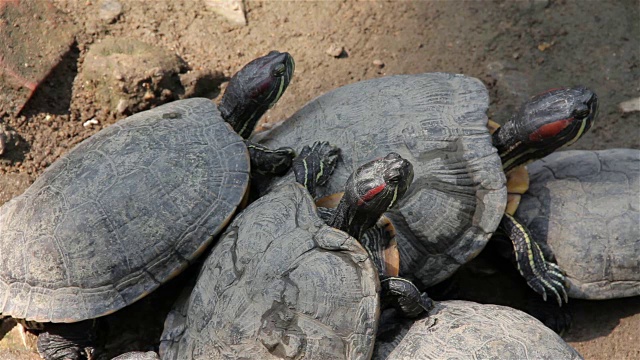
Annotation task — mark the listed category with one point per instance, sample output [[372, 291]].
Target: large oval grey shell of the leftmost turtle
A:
[[121, 213]]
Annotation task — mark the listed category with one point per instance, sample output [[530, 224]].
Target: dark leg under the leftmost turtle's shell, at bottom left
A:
[[67, 341]]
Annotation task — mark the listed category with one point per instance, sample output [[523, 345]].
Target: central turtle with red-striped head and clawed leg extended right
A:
[[438, 122]]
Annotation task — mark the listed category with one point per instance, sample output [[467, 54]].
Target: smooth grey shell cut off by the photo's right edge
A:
[[583, 207]]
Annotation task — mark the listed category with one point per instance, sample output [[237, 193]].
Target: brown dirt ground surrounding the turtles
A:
[[518, 48]]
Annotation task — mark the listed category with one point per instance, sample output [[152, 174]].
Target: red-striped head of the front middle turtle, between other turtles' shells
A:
[[371, 190]]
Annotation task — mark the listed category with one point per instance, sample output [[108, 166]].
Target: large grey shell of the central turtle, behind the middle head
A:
[[438, 122]]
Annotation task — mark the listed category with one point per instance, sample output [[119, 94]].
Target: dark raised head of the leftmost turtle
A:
[[254, 89]]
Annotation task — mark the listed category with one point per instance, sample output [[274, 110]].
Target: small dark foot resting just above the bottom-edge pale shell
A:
[[404, 296]]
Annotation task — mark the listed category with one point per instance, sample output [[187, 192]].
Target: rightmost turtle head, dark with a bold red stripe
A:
[[549, 121]]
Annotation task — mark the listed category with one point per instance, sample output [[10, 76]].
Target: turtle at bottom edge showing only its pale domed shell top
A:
[[458, 329]]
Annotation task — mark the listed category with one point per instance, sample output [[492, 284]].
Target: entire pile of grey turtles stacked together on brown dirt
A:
[[397, 183]]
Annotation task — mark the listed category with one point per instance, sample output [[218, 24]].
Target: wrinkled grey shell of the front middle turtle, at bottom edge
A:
[[279, 283]]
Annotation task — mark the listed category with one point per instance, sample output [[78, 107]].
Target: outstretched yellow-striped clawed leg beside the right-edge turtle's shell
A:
[[541, 275]]
